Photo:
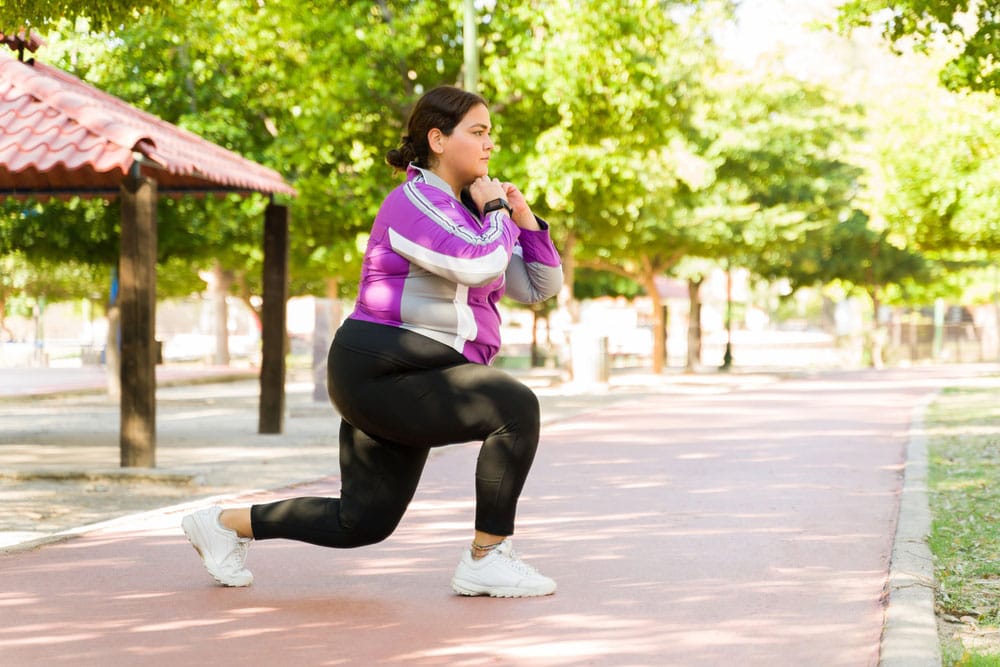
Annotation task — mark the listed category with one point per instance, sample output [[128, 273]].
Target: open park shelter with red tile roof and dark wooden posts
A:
[[61, 137]]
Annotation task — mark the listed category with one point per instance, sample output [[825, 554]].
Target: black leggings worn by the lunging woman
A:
[[399, 394]]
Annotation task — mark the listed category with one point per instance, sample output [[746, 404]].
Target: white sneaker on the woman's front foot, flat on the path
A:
[[499, 574]]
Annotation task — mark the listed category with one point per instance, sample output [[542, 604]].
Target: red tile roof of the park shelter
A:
[[60, 136]]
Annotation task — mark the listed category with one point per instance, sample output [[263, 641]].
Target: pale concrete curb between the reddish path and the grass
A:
[[909, 636]]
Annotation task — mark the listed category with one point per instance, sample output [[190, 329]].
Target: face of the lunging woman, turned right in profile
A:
[[464, 156]]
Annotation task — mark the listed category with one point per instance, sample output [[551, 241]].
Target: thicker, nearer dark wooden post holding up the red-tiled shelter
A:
[[137, 302]]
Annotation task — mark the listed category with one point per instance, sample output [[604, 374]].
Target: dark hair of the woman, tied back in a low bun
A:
[[442, 108]]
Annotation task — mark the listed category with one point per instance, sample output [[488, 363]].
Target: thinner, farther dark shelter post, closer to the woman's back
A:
[[273, 332]]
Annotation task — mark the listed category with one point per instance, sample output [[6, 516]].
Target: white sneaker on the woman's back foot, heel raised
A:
[[221, 549]]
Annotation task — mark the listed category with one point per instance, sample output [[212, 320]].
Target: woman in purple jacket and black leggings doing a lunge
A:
[[409, 369]]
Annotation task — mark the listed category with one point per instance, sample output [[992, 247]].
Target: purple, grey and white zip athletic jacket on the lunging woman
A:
[[434, 268]]
